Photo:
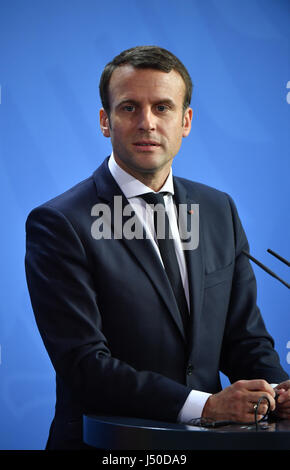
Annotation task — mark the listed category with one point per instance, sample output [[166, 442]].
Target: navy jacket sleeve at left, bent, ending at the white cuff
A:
[[65, 305]]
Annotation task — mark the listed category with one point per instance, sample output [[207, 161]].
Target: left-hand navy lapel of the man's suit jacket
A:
[[141, 249]]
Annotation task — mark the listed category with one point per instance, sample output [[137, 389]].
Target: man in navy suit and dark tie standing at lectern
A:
[[131, 327]]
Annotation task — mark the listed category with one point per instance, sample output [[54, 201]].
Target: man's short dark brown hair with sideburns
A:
[[145, 57]]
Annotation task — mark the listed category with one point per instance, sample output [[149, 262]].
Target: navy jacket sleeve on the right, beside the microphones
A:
[[248, 349]]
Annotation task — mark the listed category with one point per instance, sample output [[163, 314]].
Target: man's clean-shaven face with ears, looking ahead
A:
[[146, 122]]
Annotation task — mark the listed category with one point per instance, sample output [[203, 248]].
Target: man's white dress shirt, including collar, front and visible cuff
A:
[[132, 188]]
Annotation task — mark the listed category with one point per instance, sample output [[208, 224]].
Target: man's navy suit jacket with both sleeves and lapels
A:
[[109, 320]]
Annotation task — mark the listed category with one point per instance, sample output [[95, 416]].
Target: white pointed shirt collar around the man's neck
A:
[[130, 186]]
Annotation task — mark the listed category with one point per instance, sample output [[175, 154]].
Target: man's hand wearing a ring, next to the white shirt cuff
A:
[[236, 402]]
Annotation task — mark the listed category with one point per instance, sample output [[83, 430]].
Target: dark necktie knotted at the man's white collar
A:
[[167, 251]]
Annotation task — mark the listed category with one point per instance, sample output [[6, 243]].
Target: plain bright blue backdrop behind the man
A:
[[51, 56]]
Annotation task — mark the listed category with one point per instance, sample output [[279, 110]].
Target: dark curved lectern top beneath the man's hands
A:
[[121, 433]]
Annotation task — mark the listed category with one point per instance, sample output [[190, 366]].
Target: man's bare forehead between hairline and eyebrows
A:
[[128, 82]]
